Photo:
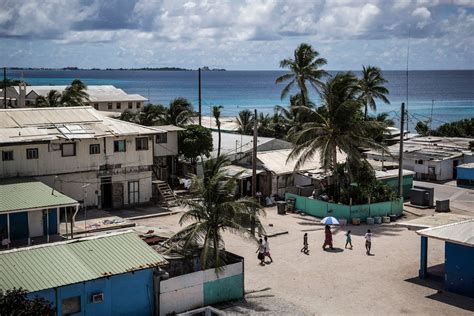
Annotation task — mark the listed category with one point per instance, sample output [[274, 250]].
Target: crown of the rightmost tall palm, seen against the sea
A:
[[372, 87]]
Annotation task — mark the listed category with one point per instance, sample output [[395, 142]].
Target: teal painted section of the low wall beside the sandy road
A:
[[222, 290]]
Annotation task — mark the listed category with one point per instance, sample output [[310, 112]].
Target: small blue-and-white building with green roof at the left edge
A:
[[29, 211]]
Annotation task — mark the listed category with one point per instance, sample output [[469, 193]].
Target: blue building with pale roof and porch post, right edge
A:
[[459, 255]]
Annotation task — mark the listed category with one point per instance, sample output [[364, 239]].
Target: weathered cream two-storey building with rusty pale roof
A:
[[106, 162]]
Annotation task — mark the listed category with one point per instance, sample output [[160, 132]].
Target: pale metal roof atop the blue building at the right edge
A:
[[459, 233]]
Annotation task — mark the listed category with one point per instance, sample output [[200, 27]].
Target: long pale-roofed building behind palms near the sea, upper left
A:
[[101, 97]]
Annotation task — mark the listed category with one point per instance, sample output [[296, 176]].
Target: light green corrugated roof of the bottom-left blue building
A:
[[58, 264]]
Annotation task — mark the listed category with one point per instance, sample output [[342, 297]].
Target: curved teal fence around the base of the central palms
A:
[[322, 209]]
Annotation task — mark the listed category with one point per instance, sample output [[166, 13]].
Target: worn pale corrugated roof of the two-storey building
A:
[[36, 124]]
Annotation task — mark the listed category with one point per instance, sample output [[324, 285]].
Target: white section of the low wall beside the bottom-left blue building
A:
[[185, 292]]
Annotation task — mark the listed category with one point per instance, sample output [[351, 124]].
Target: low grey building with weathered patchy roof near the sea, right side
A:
[[431, 158]]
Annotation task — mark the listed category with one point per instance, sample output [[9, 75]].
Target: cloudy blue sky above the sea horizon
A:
[[236, 35]]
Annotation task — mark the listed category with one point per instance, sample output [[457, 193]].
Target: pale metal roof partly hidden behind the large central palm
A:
[[276, 161]]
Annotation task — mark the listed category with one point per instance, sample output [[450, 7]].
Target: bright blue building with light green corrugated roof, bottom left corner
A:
[[104, 275]]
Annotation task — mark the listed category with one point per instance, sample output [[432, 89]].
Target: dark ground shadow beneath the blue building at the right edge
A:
[[435, 281]]
